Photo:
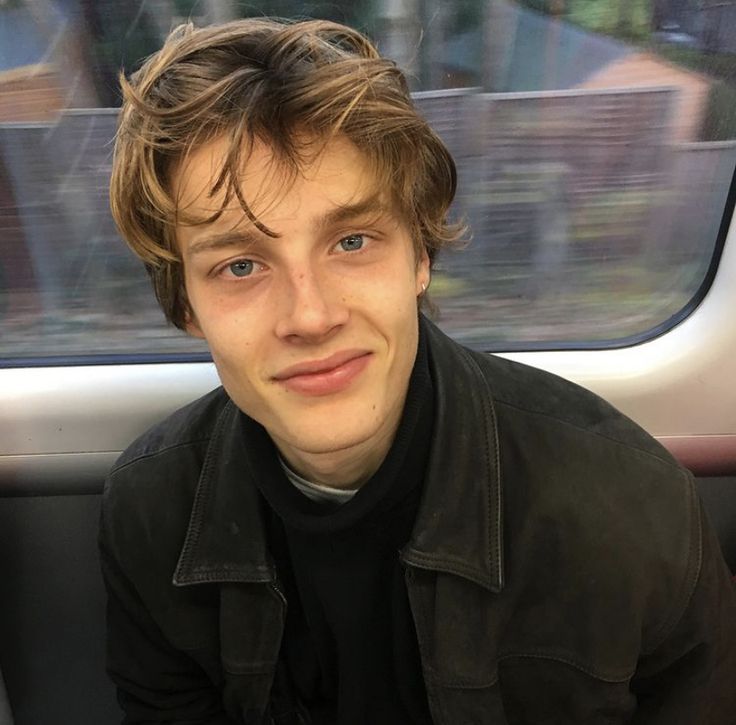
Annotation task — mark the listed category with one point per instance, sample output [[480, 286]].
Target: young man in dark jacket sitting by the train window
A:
[[369, 523]]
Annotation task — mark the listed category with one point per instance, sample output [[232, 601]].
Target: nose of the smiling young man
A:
[[312, 306]]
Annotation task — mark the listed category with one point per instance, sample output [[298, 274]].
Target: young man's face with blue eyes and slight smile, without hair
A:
[[314, 333]]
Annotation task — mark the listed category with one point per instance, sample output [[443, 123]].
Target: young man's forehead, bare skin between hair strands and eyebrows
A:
[[335, 173]]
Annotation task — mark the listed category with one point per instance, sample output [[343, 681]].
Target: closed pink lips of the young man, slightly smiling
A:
[[324, 377]]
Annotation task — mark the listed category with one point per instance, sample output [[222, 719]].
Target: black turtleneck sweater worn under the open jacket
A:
[[350, 648]]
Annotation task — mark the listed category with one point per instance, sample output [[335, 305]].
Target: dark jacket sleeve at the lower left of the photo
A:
[[156, 683]]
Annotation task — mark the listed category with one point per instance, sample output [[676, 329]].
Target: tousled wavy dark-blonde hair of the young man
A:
[[277, 82]]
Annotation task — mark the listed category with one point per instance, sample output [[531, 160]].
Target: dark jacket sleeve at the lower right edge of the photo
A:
[[690, 677]]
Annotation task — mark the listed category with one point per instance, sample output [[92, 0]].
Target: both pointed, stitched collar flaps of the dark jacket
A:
[[459, 526]]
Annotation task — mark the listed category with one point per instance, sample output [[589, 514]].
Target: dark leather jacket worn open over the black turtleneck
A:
[[560, 569]]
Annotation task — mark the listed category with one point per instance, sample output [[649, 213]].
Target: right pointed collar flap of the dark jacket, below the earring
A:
[[459, 527]]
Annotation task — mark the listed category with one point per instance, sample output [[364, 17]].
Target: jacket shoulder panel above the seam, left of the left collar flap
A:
[[189, 426]]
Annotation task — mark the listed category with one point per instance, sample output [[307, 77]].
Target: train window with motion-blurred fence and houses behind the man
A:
[[595, 143]]
